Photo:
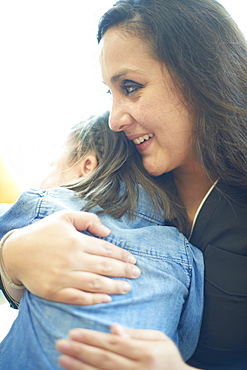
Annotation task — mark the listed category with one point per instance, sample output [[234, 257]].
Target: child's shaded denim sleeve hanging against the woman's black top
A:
[[189, 321]]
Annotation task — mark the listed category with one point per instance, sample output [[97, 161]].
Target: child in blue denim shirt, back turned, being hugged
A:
[[100, 171]]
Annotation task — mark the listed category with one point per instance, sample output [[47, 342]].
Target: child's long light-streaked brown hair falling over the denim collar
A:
[[113, 184]]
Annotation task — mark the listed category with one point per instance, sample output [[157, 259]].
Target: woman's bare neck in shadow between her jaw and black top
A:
[[192, 185]]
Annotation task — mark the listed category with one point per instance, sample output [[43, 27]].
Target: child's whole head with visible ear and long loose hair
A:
[[105, 167]]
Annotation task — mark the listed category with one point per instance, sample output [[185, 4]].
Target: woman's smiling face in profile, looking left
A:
[[145, 103]]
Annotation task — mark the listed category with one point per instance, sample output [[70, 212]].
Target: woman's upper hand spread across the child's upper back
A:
[[54, 261]]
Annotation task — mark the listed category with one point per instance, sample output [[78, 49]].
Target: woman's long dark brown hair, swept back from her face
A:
[[206, 55]]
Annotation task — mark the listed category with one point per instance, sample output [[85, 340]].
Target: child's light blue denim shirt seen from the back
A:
[[168, 295]]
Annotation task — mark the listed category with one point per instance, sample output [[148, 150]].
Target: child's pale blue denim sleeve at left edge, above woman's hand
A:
[[21, 213]]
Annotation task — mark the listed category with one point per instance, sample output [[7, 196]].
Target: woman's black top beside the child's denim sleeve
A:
[[220, 232]]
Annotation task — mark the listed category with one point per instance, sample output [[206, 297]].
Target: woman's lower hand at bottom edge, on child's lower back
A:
[[123, 349]]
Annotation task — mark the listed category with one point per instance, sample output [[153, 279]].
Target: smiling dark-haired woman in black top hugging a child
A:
[[192, 59]]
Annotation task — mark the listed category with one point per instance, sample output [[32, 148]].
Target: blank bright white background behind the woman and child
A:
[[49, 76]]
